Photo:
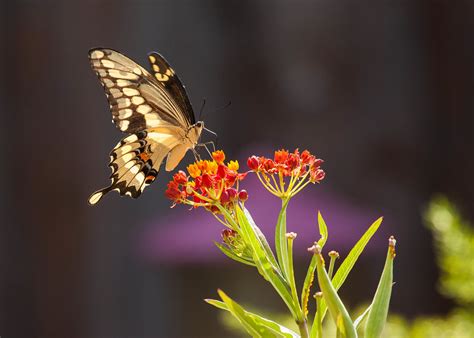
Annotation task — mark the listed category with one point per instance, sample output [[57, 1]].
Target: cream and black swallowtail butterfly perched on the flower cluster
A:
[[154, 109]]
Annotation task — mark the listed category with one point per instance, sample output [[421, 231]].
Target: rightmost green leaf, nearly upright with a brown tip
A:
[[379, 307]]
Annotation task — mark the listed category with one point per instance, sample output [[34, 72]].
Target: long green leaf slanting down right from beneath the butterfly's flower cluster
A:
[[264, 264]]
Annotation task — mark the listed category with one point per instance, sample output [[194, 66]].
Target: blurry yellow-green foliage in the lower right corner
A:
[[454, 243]]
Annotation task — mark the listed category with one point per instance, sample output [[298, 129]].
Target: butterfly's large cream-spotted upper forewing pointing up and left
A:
[[139, 100]]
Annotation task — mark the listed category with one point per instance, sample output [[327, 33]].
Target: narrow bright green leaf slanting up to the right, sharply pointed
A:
[[351, 259]]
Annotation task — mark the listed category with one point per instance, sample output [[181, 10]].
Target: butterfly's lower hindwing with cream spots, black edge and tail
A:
[[135, 161]]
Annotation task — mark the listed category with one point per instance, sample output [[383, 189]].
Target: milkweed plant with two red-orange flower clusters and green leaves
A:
[[215, 186]]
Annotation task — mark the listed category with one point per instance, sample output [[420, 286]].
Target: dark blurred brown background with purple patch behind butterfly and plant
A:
[[381, 90]]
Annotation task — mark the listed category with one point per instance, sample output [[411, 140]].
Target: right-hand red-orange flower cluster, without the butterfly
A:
[[287, 173]]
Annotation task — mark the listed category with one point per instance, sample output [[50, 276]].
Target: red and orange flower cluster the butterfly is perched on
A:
[[210, 183]]
